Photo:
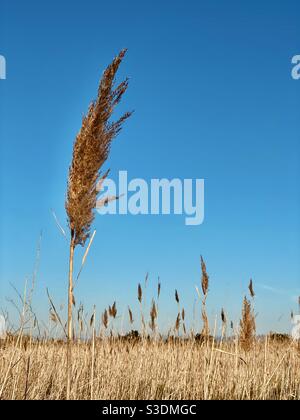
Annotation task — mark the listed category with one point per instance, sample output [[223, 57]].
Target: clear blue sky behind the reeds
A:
[[211, 86]]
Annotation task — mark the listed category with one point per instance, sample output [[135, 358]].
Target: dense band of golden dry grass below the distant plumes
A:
[[151, 370]]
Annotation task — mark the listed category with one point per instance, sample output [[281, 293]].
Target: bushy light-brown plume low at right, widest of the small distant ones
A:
[[247, 326]]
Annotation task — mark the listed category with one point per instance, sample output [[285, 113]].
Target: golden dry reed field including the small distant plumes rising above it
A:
[[145, 365]]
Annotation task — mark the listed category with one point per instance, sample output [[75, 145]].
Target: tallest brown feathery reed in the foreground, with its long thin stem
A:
[[90, 151]]
